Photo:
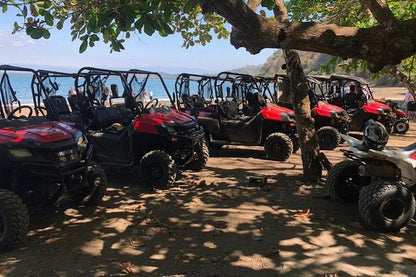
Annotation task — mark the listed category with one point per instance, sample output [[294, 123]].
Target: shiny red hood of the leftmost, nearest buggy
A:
[[47, 132]]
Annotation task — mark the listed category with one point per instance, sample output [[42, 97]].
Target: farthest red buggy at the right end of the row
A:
[[359, 104]]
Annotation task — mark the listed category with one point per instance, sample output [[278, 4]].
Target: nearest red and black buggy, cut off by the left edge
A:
[[44, 163]]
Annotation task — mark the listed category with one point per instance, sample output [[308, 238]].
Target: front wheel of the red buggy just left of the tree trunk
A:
[[278, 146]]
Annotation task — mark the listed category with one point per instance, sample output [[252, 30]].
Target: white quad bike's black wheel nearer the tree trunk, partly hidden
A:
[[344, 183]]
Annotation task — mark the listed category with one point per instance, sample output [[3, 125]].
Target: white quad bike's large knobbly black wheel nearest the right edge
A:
[[385, 206]]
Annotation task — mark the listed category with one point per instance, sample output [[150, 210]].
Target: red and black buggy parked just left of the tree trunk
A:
[[238, 115]]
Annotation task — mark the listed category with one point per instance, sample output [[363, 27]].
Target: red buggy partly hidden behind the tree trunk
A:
[[330, 121]]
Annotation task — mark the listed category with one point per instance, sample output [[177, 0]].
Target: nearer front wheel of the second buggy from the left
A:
[[157, 170]]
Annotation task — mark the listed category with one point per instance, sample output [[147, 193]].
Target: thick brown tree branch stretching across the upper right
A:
[[375, 45]]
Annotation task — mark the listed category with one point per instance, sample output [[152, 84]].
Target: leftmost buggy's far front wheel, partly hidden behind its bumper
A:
[[96, 187]]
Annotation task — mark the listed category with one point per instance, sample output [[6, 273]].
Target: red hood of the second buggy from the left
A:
[[146, 123]]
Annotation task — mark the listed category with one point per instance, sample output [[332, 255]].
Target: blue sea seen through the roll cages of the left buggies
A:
[[21, 84]]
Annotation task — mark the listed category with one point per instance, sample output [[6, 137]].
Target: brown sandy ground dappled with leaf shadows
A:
[[213, 223]]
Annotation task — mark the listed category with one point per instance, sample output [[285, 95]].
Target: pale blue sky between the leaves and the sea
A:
[[155, 53]]
